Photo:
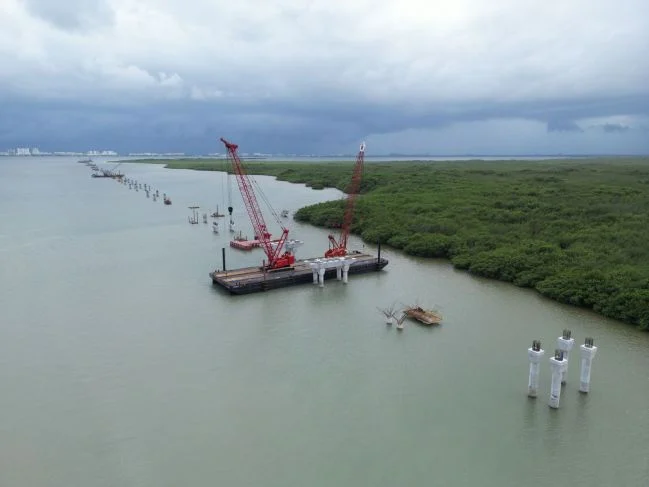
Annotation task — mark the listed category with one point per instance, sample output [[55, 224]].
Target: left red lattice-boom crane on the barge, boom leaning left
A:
[[273, 249]]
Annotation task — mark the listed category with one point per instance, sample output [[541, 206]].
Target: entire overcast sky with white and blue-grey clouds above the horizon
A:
[[319, 76]]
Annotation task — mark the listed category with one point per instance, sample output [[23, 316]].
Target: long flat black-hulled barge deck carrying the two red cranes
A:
[[253, 279]]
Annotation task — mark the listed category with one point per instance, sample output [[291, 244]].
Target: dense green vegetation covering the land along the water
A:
[[576, 230]]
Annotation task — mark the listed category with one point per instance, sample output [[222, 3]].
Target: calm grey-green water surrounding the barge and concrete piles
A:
[[121, 364]]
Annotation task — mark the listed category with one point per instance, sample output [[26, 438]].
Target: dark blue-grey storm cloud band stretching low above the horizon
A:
[[195, 126]]
